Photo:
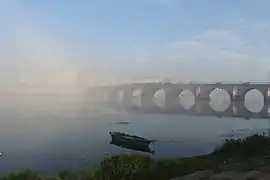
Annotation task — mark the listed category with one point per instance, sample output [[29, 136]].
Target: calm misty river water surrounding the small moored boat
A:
[[52, 133]]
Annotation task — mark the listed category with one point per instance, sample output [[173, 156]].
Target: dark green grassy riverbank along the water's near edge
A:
[[242, 155]]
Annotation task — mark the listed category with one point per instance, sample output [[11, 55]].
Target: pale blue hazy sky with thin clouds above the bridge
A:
[[66, 44]]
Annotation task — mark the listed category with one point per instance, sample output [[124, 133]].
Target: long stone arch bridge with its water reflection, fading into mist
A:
[[237, 92]]
